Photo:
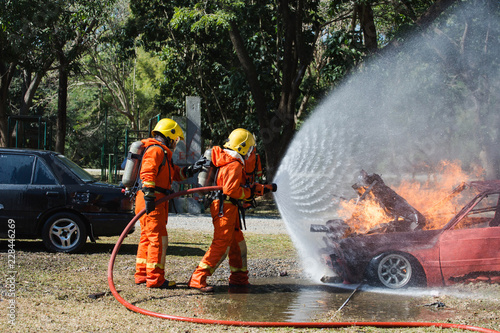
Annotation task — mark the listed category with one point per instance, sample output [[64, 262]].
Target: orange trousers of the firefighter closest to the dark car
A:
[[152, 249]]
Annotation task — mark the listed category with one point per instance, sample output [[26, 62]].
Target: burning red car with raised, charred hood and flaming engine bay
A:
[[437, 247]]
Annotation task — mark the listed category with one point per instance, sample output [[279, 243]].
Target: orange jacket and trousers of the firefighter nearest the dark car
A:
[[150, 261]]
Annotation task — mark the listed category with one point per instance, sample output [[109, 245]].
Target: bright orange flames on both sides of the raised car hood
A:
[[435, 198]]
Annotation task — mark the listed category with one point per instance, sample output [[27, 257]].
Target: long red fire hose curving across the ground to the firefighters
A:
[[255, 323]]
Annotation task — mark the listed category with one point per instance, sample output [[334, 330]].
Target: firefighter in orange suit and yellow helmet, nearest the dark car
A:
[[156, 174]]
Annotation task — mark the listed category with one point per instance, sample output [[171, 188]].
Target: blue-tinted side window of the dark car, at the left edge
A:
[[16, 169]]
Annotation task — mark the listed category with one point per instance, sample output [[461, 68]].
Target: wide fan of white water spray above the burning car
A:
[[400, 115]]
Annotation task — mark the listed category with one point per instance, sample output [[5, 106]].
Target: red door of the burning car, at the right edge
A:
[[472, 245]]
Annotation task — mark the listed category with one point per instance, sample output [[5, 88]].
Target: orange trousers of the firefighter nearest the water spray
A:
[[228, 241]]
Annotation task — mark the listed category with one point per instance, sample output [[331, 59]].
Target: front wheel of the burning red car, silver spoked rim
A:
[[395, 271]]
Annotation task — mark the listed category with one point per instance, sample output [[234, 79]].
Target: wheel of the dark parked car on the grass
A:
[[64, 232]]
